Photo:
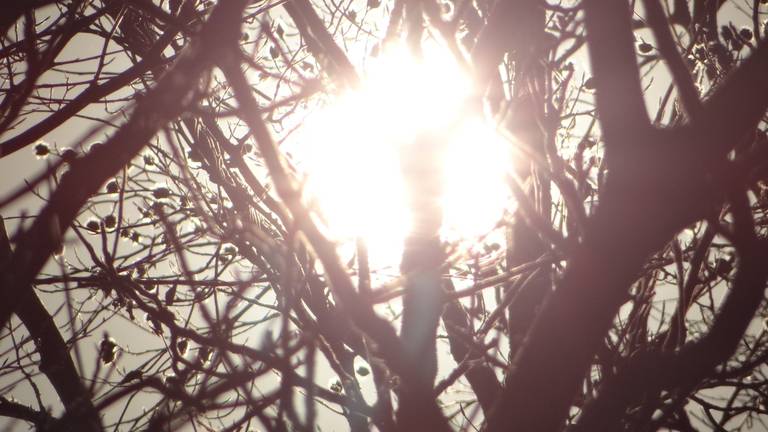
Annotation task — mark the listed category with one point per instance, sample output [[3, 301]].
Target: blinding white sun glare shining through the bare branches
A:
[[349, 151]]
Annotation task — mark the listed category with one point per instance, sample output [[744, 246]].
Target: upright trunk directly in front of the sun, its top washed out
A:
[[423, 299]]
